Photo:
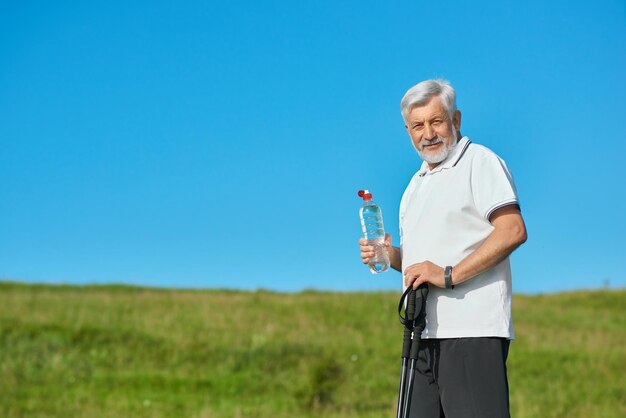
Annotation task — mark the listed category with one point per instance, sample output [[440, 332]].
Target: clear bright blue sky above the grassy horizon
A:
[[206, 144]]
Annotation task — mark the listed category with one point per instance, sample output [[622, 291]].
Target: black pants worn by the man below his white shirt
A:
[[461, 378]]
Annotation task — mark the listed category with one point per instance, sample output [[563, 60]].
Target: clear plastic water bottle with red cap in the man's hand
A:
[[374, 232]]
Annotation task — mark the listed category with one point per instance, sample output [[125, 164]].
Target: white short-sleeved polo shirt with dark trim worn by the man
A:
[[444, 217]]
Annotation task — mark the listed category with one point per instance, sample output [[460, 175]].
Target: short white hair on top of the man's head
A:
[[421, 93]]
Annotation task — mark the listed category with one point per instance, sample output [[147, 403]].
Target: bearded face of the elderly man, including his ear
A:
[[432, 132]]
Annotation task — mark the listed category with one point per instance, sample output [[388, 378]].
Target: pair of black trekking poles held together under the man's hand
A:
[[414, 324]]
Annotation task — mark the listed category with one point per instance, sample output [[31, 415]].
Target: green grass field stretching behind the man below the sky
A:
[[119, 351]]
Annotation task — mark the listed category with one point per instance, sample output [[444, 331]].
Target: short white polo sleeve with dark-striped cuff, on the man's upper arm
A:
[[492, 184]]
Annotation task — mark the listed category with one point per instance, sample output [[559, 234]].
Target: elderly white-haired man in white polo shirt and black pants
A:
[[459, 221]]
